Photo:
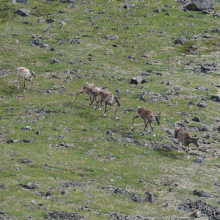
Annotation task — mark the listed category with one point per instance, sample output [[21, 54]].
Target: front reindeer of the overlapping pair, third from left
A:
[[109, 99]]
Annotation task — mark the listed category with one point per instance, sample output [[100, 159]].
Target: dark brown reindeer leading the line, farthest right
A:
[[185, 138]]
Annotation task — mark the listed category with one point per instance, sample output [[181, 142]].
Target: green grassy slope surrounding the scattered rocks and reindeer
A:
[[138, 169]]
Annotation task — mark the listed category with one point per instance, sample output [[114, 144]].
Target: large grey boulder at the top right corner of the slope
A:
[[200, 5]]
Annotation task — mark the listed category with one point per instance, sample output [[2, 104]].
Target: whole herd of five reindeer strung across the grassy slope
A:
[[102, 95]]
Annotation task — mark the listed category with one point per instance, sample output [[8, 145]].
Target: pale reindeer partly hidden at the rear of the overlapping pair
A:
[[91, 90]]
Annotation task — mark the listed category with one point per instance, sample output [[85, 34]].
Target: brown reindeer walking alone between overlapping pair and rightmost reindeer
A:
[[148, 117]]
